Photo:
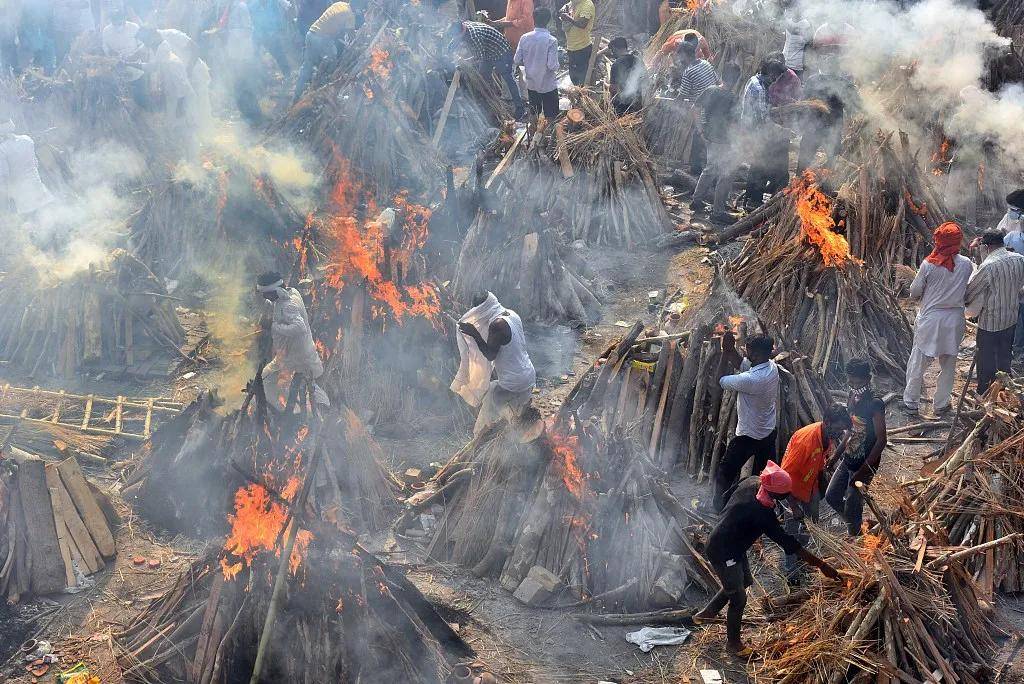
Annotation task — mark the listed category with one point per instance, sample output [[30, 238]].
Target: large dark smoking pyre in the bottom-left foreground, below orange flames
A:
[[348, 617]]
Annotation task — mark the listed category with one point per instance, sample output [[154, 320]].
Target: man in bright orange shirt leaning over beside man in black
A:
[[806, 460]]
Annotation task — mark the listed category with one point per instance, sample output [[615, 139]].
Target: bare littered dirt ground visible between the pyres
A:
[[523, 645]]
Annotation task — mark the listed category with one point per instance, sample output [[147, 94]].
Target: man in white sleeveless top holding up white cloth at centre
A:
[[501, 349]]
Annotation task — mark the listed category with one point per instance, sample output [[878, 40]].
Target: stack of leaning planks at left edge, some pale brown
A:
[[56, 527]]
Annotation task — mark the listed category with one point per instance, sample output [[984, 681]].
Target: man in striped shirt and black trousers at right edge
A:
[[993, 295]]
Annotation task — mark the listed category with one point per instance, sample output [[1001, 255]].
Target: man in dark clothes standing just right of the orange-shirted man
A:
[[863, 452]]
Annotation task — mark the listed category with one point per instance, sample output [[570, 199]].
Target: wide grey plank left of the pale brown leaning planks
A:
[[46, 574]]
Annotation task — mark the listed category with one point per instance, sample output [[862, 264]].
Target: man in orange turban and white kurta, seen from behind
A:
[[940, 287]]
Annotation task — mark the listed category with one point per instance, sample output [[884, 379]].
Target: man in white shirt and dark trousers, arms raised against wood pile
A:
[[757, 415]]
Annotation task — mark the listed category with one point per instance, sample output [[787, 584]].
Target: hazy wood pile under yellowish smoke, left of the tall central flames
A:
[[189, 223]]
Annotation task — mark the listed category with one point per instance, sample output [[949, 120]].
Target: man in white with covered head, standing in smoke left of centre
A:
[[294, 350]]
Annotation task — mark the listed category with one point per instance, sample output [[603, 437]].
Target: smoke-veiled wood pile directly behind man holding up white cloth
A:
[[515, 249]]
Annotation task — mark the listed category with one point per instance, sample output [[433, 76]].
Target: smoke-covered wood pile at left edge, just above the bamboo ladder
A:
[[115, 317]]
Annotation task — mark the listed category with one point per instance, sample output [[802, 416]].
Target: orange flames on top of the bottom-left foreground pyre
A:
[[255, 526]]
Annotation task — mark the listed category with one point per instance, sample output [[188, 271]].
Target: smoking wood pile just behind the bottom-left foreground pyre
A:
[[180, 476]]
